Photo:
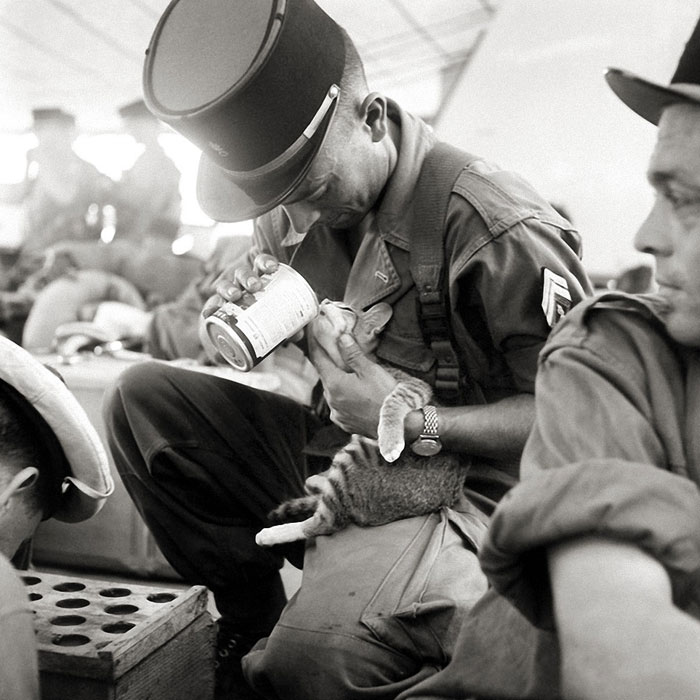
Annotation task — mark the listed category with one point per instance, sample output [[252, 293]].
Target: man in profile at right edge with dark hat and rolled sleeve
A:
[[595, 556]]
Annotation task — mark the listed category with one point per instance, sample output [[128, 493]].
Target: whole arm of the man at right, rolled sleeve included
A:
[[620, 530]]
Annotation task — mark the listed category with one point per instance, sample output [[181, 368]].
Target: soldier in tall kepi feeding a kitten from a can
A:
[[360, 198]]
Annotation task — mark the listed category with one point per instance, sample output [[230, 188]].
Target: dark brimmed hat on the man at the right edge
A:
[[649, 99]]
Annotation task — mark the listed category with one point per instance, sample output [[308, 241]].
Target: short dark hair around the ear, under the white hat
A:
[[23, 444]]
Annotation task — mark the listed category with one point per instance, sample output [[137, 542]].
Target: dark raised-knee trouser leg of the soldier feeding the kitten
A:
[[205, 459]]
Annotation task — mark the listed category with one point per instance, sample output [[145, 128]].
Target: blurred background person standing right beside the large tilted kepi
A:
[[147, 198]]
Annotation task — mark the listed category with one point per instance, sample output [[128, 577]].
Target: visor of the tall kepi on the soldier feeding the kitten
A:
[[227, 198]]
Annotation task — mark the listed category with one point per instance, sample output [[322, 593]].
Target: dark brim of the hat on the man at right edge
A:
[[646, 98]]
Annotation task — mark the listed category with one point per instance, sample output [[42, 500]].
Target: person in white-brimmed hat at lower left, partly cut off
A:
[[52, 465]]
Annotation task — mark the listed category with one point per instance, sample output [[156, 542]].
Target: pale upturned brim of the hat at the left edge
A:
[[90, 481]]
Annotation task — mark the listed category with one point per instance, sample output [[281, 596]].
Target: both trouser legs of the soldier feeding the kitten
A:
[[379, 609]]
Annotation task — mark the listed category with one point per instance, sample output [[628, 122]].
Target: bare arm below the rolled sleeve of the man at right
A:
[[620, 634]]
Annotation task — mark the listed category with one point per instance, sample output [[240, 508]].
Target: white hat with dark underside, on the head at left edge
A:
[[80, 477]]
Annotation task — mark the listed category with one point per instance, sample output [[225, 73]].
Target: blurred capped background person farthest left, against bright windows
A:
[[62, 198]]
